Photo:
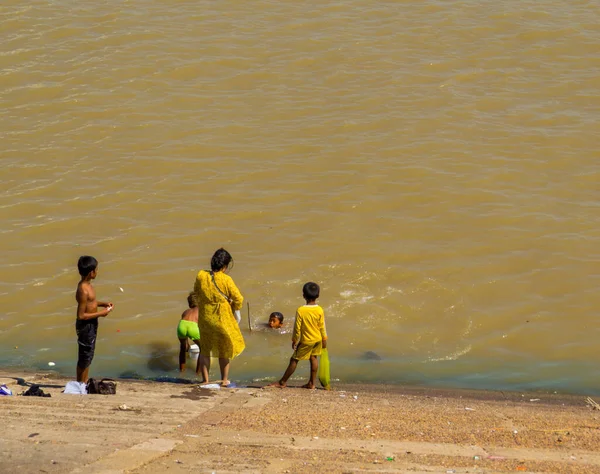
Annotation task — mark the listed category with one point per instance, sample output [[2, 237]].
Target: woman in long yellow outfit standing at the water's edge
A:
[[218, 298]]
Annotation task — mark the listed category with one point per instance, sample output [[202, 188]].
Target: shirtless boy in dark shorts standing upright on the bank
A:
[[86, 324]]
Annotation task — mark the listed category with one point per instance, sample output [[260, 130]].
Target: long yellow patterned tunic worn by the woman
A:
[[220, 334]]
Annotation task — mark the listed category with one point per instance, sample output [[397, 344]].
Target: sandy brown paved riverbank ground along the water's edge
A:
[[153, 427]]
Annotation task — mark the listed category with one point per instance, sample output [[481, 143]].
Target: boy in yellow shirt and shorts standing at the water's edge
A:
[[309, 336]]
